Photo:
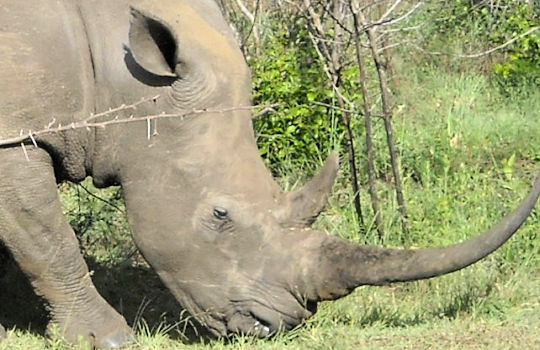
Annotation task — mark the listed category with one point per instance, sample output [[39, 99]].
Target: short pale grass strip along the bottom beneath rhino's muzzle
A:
[[517, 329]]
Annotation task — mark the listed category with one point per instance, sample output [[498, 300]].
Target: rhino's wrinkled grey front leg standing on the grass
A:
[[34, 229]]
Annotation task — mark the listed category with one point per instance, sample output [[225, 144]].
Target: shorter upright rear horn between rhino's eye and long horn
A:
[[301, 208]]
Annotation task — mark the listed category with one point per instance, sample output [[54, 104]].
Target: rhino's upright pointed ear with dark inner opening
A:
[[152, 44]]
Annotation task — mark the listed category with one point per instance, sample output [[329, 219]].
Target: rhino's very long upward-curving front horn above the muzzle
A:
[[342, 266]]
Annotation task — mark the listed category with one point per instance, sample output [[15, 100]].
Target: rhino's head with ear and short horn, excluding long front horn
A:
[[205, 211]]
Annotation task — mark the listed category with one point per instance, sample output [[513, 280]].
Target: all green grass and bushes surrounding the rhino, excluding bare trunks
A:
[[467, 134]]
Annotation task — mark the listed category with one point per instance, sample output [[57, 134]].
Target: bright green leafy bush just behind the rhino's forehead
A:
[[303, 129]]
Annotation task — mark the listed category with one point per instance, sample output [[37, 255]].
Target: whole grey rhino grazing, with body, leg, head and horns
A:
[[205, 212]]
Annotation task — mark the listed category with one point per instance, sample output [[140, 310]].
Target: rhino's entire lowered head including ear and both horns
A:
[[207, 215]]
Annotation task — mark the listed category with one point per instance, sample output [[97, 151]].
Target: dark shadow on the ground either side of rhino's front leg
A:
[[134, 290]]
